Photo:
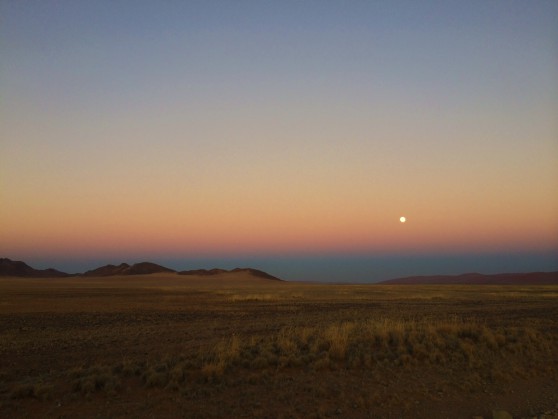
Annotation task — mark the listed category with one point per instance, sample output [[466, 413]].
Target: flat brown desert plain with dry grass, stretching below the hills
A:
[[238, 346]]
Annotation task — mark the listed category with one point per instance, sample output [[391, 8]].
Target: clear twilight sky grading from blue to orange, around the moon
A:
[[291, 135]]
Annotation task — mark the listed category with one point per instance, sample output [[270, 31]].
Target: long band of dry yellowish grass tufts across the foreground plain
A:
[[368, 345]]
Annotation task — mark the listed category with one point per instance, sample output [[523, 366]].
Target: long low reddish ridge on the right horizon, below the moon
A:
[[531, 278]]
